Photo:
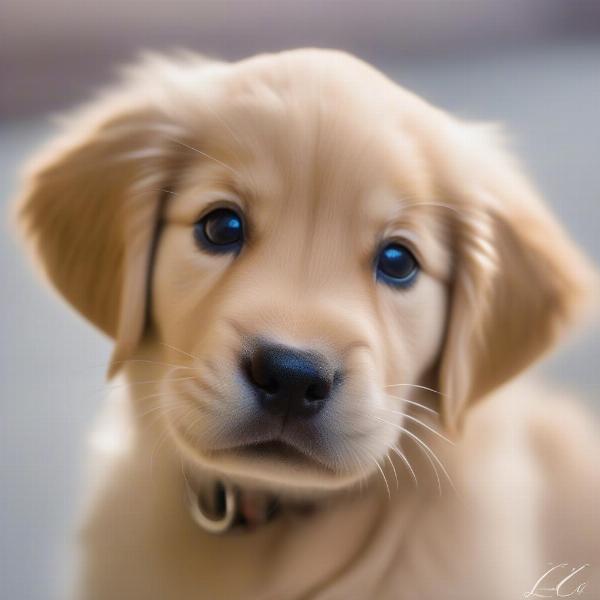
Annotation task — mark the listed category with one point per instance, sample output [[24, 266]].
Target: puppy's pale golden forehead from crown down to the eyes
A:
[[329, 147]]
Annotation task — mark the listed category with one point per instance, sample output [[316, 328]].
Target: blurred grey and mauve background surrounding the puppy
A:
[[533, 65]]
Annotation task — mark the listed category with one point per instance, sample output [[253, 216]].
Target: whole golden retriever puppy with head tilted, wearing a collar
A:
[[319, 287]]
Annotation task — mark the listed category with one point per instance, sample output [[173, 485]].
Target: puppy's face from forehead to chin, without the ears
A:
[[298, 269]]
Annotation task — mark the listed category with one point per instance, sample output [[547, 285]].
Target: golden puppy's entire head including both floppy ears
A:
[[311, 243]]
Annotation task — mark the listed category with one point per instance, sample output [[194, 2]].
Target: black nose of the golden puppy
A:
[[289, 382]]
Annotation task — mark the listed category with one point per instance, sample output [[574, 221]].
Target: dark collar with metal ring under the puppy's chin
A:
[[219, 507]]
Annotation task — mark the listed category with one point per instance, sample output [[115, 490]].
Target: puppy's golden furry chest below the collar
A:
[[339, 556]]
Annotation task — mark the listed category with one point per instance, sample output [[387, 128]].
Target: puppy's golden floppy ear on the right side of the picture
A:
[[519, 280]]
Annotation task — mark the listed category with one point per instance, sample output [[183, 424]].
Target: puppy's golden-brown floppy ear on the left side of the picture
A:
[[90, 208]]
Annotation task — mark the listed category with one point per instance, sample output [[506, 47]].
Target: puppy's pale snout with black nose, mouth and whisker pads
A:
[[292, 406]]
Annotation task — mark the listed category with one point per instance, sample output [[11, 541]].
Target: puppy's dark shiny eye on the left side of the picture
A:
[[219, 231]]
